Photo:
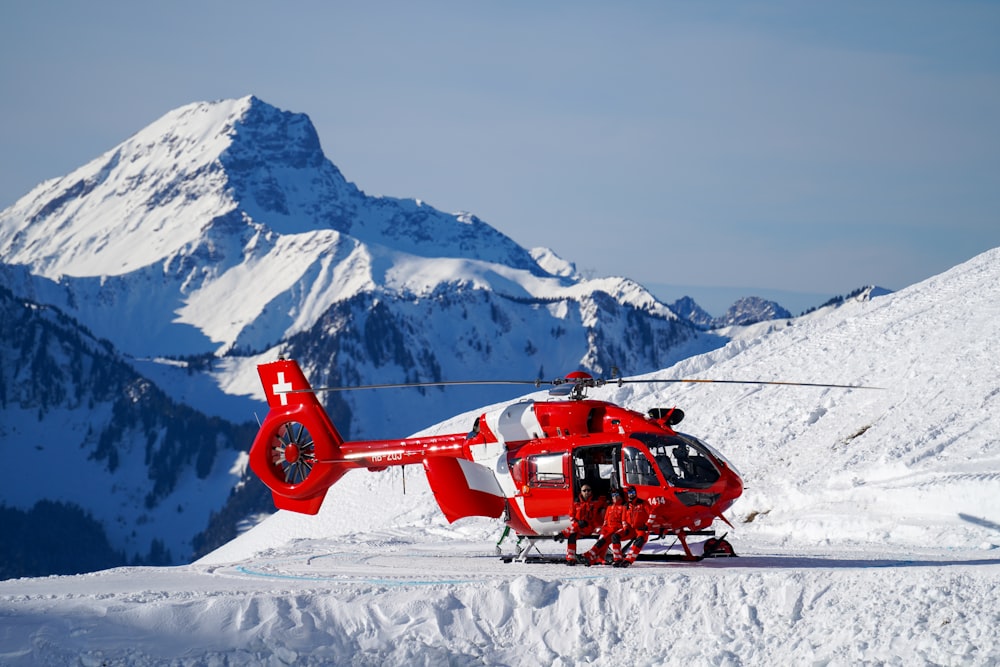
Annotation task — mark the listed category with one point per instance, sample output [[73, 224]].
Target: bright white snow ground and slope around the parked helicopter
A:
[[868, 533]]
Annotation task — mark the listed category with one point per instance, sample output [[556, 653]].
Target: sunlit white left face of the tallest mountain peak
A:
[[143, 201]]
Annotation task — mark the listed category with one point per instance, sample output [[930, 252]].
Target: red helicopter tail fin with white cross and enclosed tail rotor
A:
[[297, 452]]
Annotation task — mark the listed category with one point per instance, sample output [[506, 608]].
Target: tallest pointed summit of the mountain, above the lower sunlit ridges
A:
[[206, 179]]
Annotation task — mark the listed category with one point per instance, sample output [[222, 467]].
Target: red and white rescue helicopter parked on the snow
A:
[[524, 462]]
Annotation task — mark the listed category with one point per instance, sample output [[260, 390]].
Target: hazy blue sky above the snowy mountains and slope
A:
[[796, 150]]
